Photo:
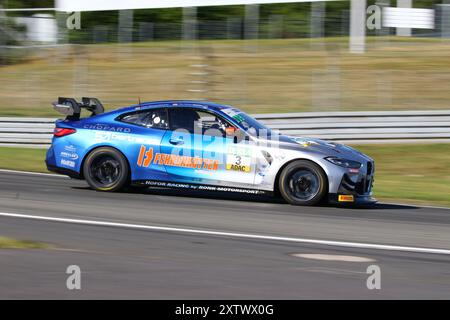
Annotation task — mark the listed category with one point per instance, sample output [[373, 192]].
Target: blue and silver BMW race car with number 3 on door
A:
[[202, 146]]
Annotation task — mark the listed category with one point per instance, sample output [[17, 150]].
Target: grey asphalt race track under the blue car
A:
[[165, 244]]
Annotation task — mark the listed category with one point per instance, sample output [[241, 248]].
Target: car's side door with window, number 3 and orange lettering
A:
[[201, 152]]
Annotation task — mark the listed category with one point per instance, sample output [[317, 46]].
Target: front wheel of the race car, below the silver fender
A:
[[303, 183]]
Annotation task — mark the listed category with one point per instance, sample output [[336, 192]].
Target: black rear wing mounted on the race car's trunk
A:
[[72, 109]]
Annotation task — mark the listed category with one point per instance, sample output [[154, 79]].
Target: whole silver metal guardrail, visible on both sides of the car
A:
[[349, 127]]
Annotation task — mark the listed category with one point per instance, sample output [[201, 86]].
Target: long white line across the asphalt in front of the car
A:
[[233, 234]]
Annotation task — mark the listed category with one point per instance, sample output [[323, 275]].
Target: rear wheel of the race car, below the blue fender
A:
[[106, 169]]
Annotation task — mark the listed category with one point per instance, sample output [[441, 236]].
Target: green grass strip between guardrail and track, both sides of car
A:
[[410, 173]]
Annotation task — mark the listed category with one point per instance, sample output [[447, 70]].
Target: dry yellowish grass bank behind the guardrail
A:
[[278, 75]]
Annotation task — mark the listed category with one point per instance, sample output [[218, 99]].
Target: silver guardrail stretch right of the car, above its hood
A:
[[358, 127]]
